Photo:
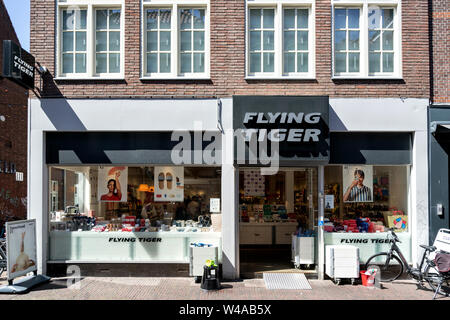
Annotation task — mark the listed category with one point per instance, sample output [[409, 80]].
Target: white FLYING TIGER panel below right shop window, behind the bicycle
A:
[[369, 243]]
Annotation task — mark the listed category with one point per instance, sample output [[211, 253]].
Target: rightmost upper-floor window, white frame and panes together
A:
[[366, 41]]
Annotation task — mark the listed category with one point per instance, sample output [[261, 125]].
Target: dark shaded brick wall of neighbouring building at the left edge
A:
[[13, 133]]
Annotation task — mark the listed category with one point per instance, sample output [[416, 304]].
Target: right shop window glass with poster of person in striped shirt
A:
[[366, 199]]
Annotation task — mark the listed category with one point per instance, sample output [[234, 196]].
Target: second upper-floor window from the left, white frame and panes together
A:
[[176, 40]]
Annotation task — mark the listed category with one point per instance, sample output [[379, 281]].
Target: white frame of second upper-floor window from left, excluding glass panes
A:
[[175, 58]]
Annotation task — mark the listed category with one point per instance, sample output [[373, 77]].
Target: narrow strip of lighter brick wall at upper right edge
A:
[[440, 19]]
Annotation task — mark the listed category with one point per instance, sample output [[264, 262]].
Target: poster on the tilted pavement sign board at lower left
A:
[[21, 247]]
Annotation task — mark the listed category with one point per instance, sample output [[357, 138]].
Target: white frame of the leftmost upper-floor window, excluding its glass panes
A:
[[90, 6]]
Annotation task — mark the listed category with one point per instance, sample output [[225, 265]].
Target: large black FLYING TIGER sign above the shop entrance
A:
[[299, 123]]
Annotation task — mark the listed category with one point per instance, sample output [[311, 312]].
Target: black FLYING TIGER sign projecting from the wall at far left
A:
[[18, 64]]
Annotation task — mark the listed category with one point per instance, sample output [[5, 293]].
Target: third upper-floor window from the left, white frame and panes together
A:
[[280, 41]]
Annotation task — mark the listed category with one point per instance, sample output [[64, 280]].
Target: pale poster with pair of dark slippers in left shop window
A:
[[169, 184]]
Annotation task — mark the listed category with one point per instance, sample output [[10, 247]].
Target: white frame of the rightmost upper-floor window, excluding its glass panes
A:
[[364, 5]]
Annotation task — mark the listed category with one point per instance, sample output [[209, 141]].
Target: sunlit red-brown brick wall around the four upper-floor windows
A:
[[227, 59]]
